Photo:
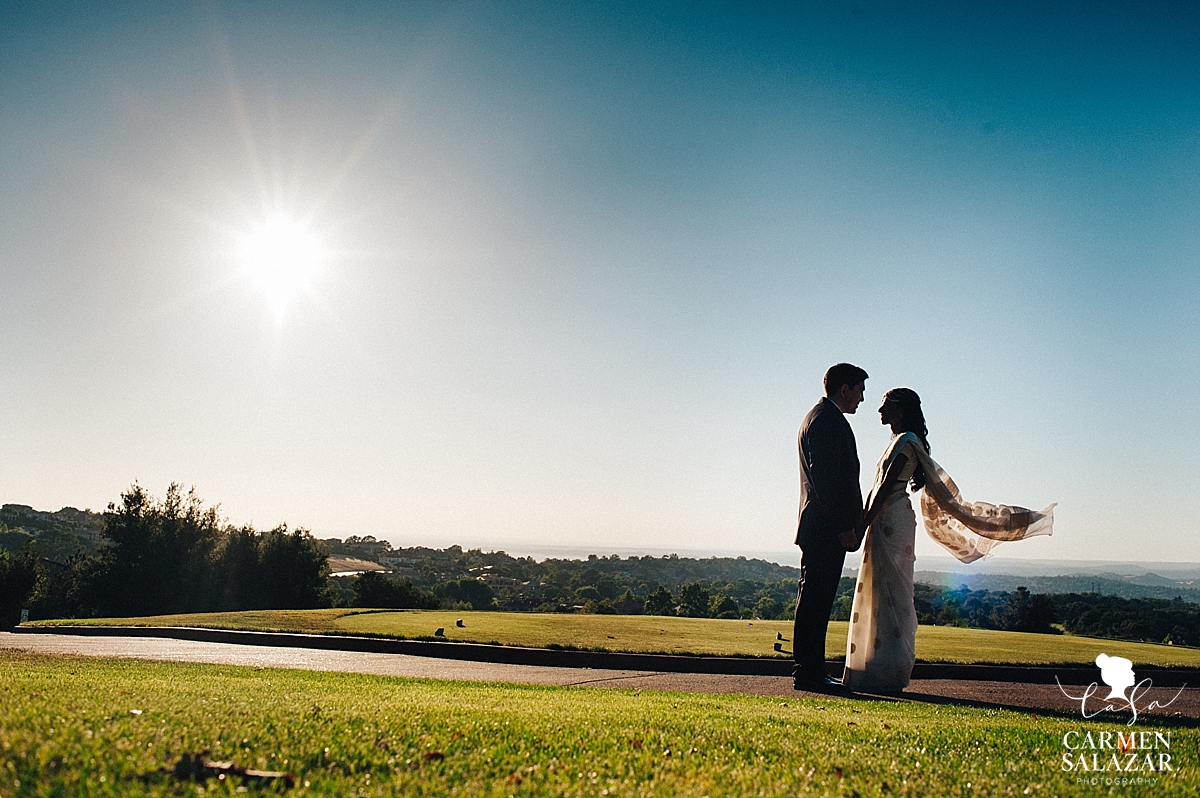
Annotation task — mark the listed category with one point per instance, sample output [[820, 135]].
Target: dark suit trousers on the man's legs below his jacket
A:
[[820, 575]]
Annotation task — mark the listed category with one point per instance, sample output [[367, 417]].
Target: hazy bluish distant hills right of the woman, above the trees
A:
[[1148, 586]]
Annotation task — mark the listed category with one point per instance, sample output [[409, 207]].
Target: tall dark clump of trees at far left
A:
[[166, 557]]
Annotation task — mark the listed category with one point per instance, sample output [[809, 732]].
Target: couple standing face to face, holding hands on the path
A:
[[880, 646]]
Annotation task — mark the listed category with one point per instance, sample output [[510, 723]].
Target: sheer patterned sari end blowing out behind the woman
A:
[[970, 530]]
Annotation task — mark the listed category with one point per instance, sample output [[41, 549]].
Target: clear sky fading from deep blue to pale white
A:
[[587, 263]]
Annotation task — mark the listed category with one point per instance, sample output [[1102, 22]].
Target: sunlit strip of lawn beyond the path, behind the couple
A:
[[661, 634]]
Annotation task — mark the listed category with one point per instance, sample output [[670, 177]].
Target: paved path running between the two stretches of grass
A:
[[1001, 695]]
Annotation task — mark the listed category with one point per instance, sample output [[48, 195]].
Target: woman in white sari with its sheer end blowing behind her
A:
[[880, 647]]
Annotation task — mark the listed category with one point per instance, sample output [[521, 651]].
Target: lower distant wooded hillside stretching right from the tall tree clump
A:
[[701, 589]]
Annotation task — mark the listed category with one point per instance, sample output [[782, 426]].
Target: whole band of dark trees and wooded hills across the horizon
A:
[[160, 557]]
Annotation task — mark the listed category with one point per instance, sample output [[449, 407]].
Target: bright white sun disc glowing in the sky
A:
[[283, 259]]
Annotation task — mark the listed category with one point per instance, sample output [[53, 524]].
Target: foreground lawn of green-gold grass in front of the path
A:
[[69, 727]]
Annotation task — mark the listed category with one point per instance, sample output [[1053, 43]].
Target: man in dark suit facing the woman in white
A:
[[831, 508]]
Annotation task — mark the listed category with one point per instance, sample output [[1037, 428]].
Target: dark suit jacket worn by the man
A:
[[831, 500]]
